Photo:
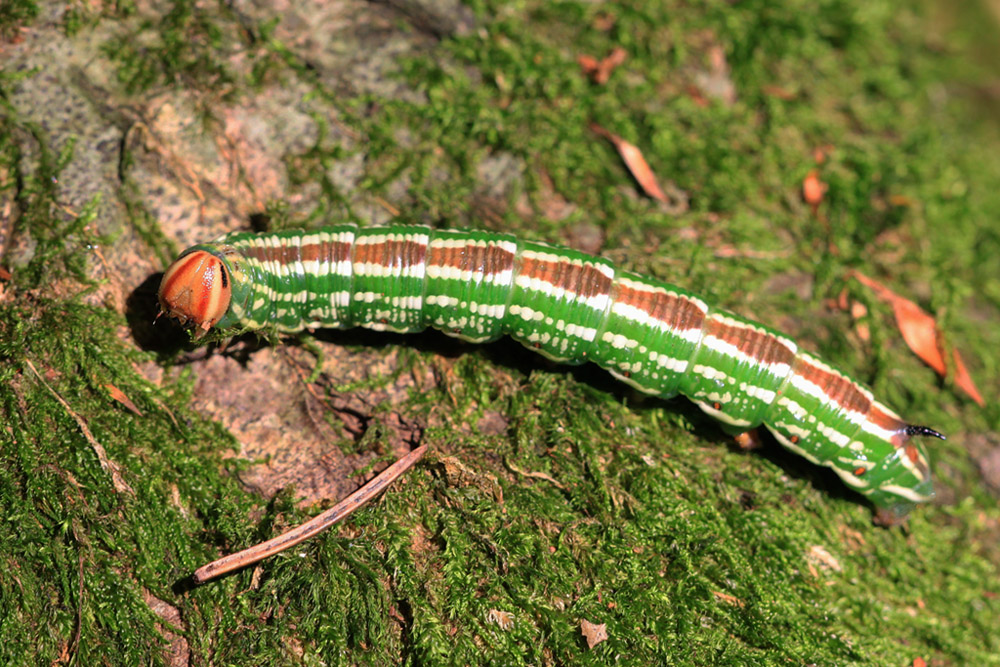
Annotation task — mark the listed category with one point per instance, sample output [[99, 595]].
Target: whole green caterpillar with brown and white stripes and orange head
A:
[[569, 306]]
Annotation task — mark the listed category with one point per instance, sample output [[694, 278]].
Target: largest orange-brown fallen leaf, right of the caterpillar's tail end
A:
[[920, 332]]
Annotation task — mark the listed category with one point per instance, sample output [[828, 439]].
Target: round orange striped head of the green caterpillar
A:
[[197, 290]]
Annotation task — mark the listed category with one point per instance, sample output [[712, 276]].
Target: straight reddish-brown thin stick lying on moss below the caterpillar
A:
[[315, 525]]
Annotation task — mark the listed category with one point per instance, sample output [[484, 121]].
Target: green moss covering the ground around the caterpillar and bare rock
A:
[[551, 497]]
